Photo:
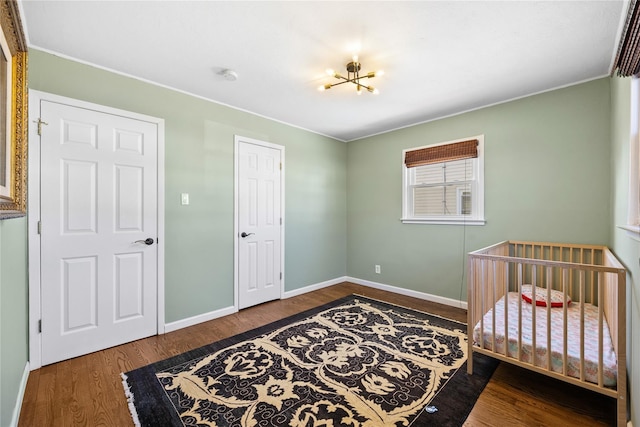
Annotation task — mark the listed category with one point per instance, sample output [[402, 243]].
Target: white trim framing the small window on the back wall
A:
[[479, 219]]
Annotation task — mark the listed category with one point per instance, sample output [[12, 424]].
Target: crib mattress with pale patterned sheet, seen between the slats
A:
[[557, 345]]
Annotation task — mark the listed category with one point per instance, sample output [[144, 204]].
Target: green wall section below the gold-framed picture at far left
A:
[[14, 314]]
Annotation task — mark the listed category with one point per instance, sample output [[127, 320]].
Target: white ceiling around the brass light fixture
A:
[[440, 57]]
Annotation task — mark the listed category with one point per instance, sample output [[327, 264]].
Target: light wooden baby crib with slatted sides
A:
[[576, 329]]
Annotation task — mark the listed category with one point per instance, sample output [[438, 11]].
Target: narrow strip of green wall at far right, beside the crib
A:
[[626, 248]]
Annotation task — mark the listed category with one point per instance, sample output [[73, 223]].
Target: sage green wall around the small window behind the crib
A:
[[547, 178]]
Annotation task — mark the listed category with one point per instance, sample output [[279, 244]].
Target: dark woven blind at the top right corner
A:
[[628, 57]]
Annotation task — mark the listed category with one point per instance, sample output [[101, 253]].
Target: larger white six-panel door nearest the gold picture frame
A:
[[98, 205]]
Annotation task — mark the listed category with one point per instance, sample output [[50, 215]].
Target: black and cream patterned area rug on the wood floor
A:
[[353, 362]]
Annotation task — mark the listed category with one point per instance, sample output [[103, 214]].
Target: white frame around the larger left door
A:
[[33, 212]]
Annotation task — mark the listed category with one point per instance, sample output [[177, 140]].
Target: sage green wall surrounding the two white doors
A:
[[199, 160]]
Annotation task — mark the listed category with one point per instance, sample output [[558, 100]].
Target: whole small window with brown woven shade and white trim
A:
[[443, 183]]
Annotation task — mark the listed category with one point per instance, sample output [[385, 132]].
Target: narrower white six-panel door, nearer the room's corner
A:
[[259, 217]]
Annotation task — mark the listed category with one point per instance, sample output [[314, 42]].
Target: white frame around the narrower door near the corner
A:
[[236, 232]]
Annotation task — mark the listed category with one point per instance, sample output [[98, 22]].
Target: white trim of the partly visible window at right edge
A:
[[632, 227]]
